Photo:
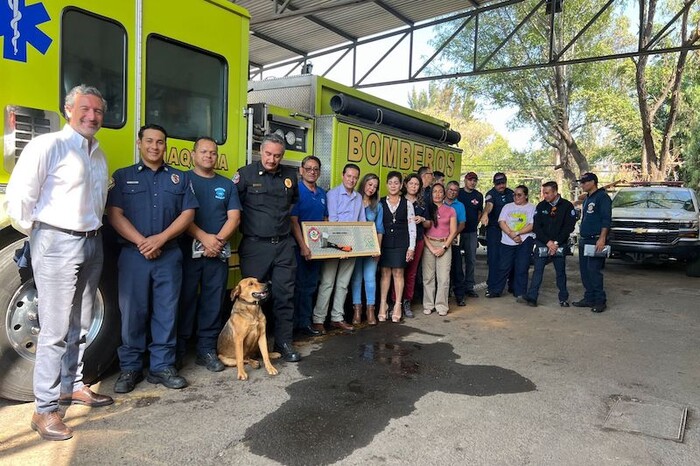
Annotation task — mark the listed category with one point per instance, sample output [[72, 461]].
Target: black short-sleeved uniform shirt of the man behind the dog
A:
[[266, 199]]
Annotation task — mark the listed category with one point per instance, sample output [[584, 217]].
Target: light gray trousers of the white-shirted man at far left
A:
[[66, 273]]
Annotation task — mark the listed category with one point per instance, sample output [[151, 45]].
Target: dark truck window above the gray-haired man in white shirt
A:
[[93, 52]]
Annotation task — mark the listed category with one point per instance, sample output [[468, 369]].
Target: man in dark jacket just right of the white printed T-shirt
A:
[[555, 219]]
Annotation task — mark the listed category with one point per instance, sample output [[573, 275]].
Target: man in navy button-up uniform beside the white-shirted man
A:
[[150, 205]]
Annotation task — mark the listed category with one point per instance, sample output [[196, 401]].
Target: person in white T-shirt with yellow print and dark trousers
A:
[[515, 220]]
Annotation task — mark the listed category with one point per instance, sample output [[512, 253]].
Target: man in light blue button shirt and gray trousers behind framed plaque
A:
[[344, 205]]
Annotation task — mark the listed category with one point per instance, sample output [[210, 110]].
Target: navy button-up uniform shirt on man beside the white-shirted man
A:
[[151, 200]]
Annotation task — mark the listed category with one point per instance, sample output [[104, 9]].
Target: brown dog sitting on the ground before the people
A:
[[245, 328]]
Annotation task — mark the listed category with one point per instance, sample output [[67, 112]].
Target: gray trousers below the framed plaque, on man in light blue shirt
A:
[[335, 273]]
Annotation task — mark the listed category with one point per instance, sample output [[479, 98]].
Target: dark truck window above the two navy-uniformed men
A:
[[185, 90]]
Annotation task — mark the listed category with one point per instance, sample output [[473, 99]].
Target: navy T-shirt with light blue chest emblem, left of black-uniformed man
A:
[[216, 197]]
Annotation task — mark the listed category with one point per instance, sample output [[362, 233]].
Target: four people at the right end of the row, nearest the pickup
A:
[[519, 233]]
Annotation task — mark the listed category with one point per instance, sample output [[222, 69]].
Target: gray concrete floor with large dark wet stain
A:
[[494, 382]]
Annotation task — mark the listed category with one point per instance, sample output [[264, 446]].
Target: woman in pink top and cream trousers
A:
[[437, 254]]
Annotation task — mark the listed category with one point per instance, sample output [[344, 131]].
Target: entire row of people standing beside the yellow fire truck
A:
[[174, 229]]
